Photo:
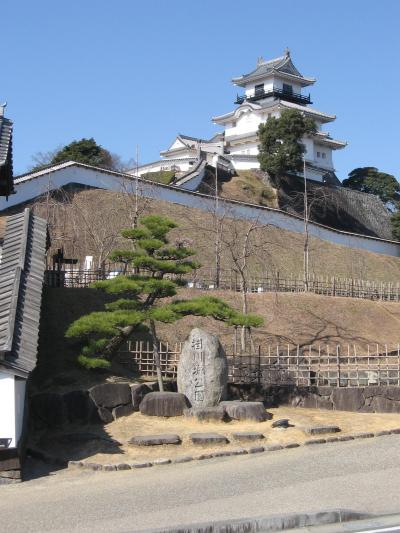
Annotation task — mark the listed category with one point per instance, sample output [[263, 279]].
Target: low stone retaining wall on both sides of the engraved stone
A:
[[104, 403]]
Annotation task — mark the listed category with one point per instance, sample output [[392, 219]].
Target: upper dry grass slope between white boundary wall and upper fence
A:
[[88, 223]]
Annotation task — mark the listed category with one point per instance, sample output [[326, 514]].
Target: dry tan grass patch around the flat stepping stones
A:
[[136, 424]]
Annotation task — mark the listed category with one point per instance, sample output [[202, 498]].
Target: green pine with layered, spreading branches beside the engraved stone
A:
[[159, 267]]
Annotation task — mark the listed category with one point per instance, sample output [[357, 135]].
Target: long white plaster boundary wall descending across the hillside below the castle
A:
[[28, 189]]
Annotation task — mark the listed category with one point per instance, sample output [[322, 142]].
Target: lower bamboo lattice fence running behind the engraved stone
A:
[[345, 365]]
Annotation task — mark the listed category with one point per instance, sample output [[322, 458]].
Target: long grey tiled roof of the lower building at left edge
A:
[[21, 278]]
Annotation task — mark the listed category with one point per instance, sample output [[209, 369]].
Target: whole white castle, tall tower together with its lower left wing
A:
[[270, 88]]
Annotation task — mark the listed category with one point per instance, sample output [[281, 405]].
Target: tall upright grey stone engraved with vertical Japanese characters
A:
[[203, 369]]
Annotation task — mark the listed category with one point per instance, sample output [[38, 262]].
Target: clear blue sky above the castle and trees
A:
[[132, 72]]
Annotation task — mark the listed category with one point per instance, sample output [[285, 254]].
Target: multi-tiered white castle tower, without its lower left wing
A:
[[270, 88]]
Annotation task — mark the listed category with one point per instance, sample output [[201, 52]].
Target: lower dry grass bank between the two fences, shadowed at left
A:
[[288, 318]]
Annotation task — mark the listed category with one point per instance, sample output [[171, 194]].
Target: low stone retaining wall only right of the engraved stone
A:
[[379, 399]]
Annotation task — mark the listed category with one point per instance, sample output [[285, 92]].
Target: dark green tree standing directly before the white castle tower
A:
[[281, 149]]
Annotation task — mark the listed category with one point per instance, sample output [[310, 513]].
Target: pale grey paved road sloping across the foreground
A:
[[362, 475]]
